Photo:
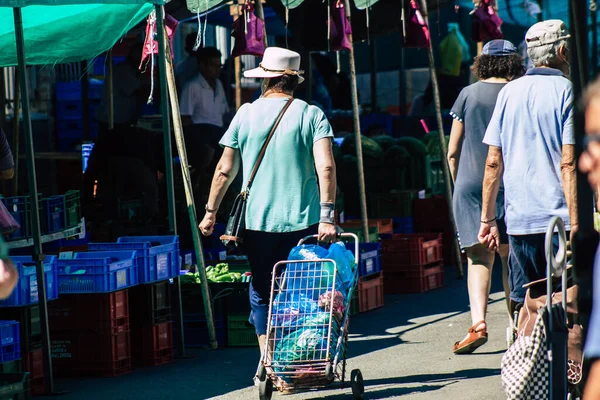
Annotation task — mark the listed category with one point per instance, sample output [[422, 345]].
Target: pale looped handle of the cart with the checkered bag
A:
[[556, 264]]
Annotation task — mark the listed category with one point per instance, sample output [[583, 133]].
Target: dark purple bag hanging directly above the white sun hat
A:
[[248, 32]]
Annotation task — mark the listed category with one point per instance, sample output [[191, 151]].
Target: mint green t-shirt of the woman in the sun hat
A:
[[285, 194]]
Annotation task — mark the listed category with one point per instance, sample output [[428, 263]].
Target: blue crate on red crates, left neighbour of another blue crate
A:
[[98, 272]]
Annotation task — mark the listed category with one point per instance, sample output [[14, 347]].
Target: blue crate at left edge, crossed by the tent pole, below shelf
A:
[[26, 291]]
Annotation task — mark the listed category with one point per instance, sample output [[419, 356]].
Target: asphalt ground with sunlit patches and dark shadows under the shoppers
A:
[[404, 351]]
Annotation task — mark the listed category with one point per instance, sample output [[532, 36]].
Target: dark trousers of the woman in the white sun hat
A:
[[264, 250]]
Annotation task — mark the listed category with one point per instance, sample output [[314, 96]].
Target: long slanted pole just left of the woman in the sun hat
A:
[[189, 194]]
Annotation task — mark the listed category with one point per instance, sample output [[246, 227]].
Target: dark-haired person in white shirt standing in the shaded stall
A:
[[204, 109]]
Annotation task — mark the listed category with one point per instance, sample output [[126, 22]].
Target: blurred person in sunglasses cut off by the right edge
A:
[[589, 163]]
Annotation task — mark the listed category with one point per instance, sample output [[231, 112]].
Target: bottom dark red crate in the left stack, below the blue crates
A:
[[91, 352]]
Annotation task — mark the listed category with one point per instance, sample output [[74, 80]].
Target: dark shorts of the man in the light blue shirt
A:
[[527, 262]]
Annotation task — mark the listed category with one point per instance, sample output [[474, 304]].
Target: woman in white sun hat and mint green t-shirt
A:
[[293, 194]]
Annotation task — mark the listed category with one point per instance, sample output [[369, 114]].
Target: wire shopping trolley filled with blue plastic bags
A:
[[307, 331]]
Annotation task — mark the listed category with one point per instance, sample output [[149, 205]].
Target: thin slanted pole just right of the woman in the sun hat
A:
[[357, 136]]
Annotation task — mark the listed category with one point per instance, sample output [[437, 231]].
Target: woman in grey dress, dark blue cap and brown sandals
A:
[[498, 64]]
